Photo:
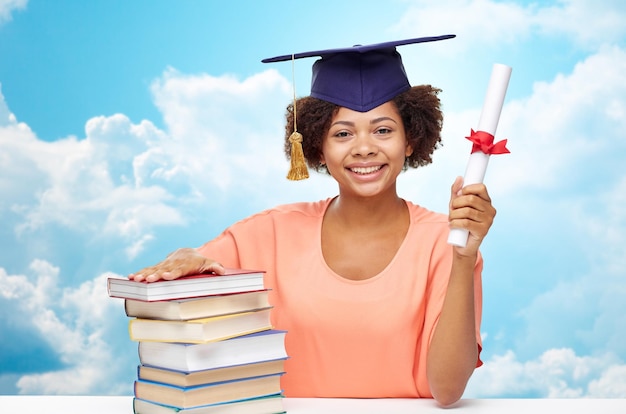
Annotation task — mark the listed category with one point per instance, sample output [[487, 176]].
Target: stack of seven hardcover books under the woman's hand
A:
[[206, 344]]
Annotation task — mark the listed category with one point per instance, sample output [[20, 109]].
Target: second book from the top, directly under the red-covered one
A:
[[196, 308]]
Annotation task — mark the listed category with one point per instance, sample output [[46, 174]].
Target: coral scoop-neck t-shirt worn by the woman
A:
[[346, 338]]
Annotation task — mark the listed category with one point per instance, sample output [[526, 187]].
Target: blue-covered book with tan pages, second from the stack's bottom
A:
[[214, 393]]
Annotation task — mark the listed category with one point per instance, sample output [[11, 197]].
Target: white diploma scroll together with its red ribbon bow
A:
[[483, 138]]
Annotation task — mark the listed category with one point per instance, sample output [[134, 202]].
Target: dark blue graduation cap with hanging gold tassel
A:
[[358, 77]]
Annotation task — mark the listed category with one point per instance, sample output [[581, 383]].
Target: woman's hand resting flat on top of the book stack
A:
[[181, 262]]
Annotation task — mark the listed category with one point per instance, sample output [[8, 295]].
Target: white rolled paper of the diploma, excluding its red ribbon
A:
[[488, 122]]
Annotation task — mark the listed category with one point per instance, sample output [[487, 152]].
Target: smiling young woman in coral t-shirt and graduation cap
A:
[[376, 303]]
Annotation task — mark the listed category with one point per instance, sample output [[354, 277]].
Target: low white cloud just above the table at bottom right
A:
[[556, 373]]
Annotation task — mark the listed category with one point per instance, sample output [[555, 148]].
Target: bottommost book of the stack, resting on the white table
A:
[[265, 405]]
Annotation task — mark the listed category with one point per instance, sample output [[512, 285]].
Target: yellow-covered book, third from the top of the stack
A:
[[216, 328]]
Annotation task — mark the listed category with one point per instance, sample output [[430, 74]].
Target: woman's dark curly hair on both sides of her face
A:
[[419, 107]]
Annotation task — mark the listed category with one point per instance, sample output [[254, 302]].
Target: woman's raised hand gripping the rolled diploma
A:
[[471, 209]]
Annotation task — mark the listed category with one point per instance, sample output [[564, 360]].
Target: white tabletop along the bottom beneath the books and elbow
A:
[[12, 404]]
